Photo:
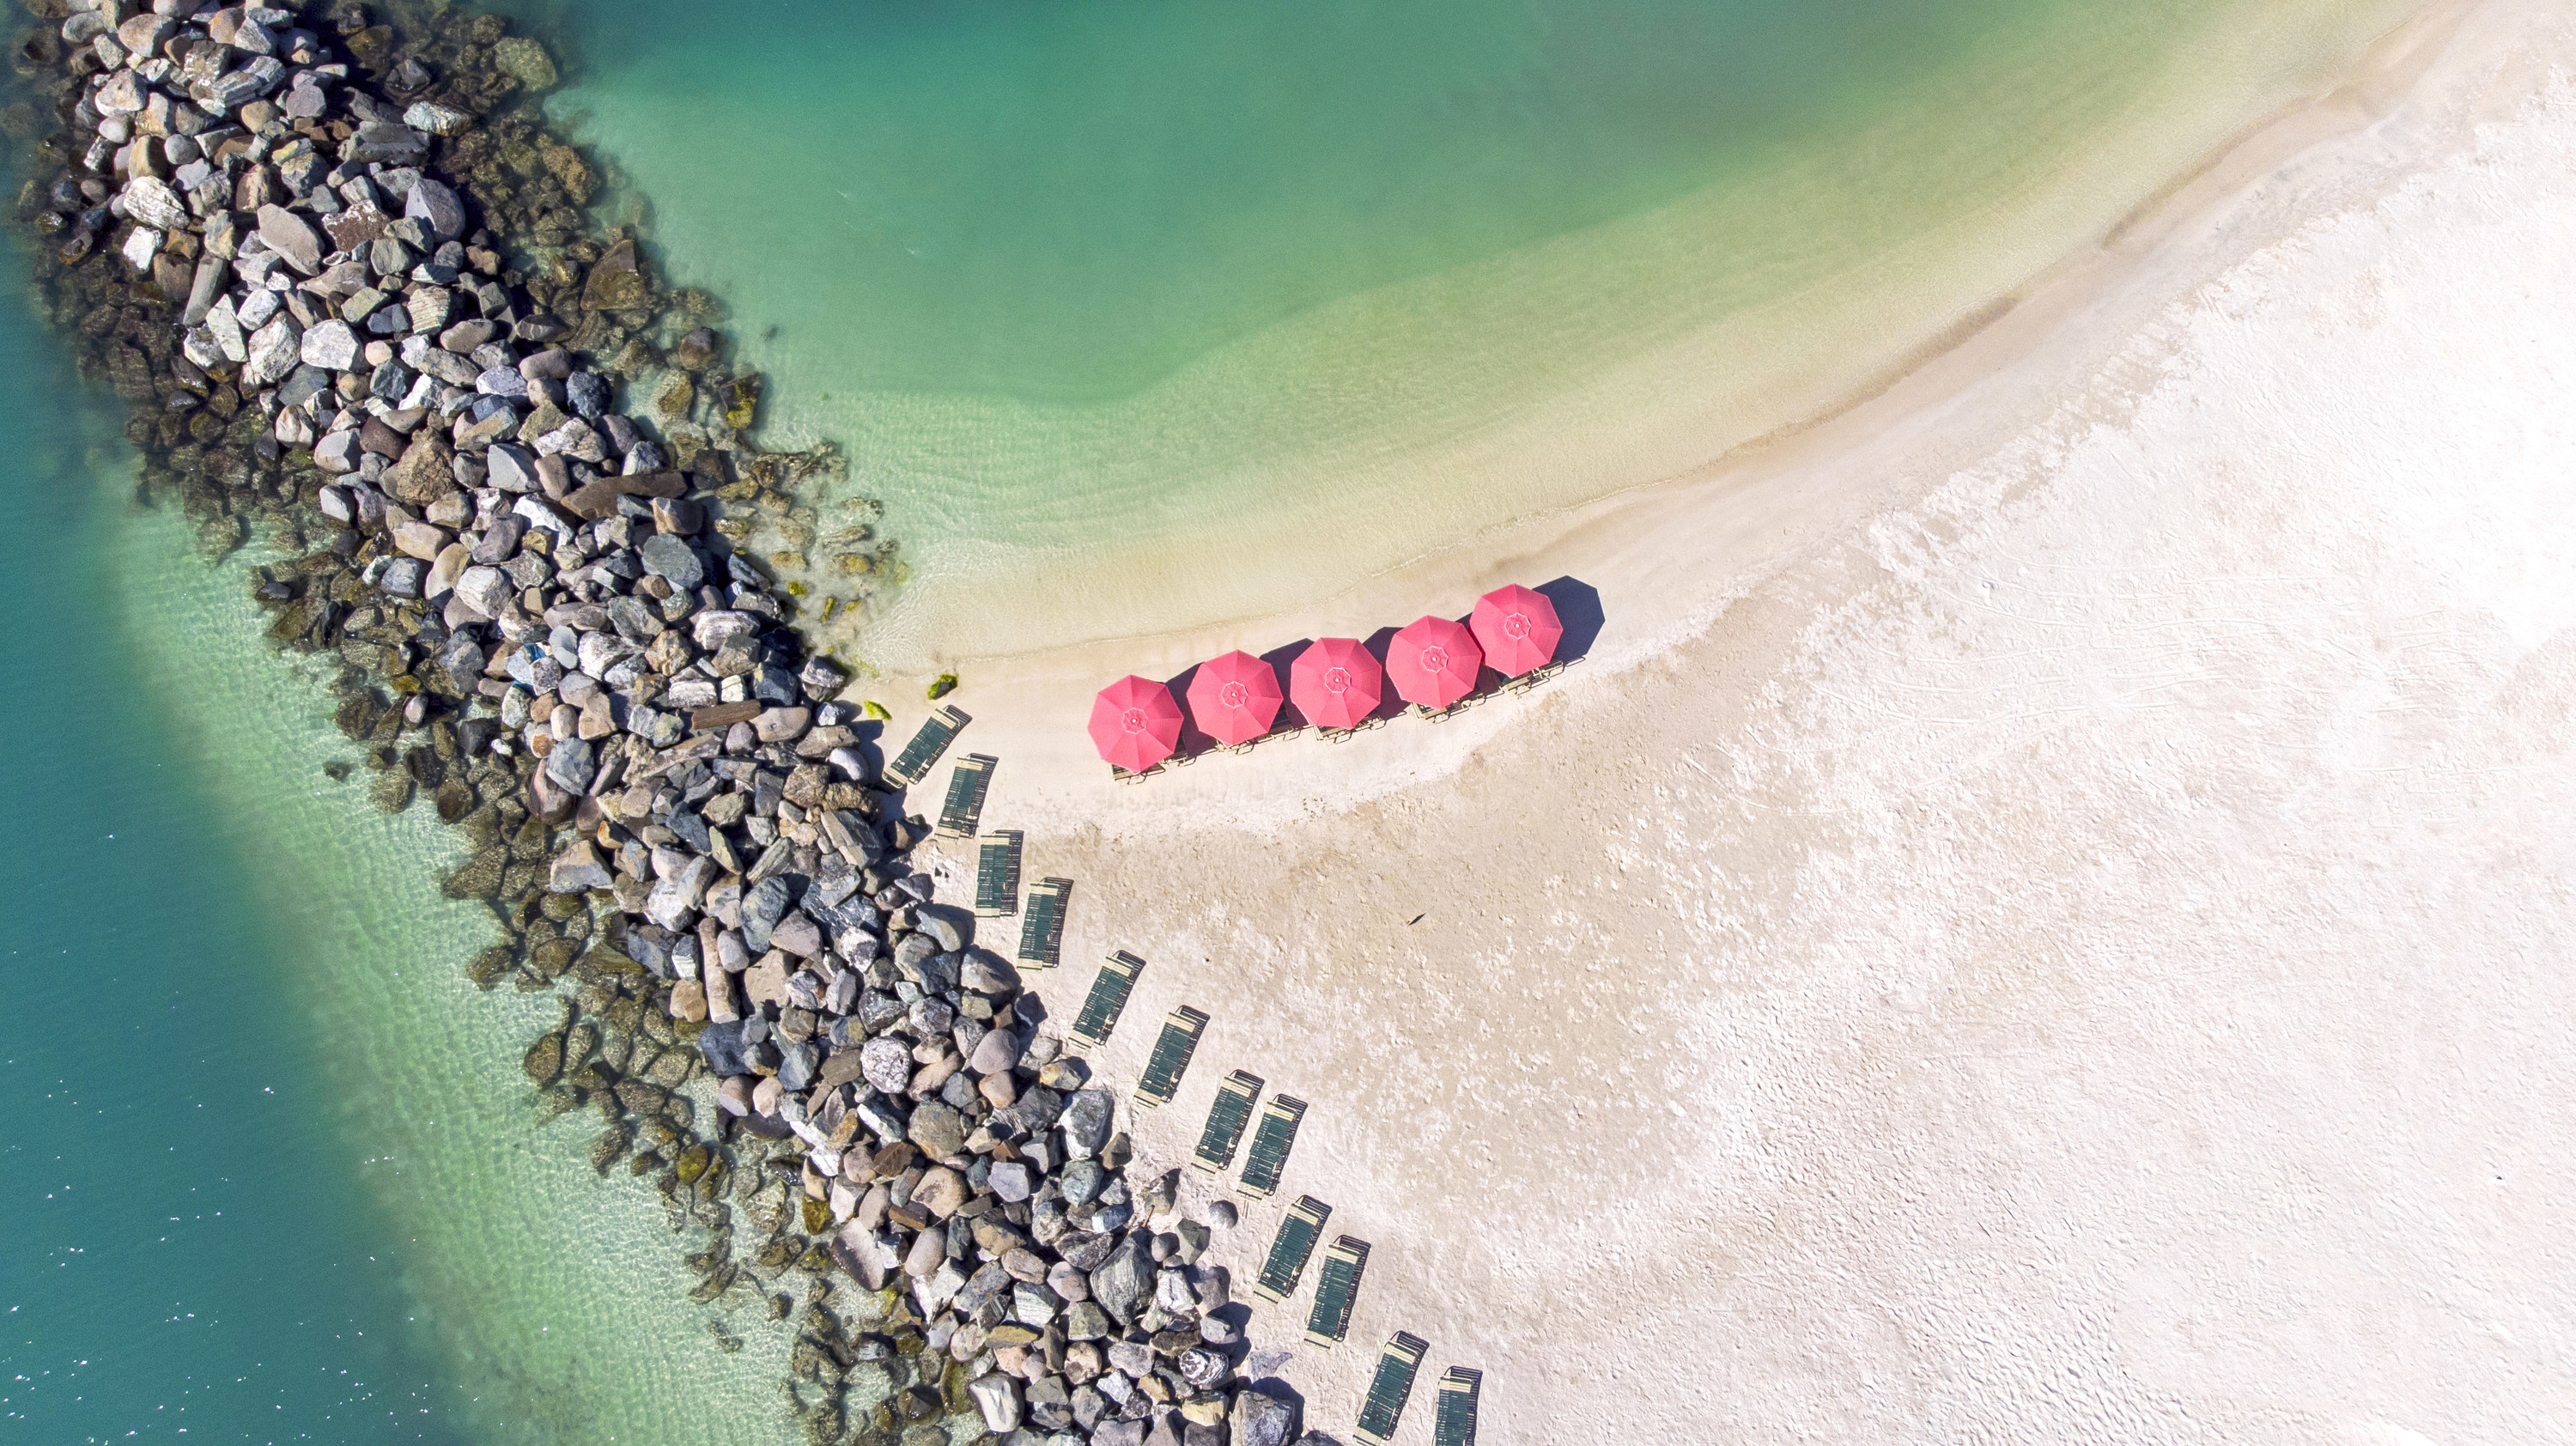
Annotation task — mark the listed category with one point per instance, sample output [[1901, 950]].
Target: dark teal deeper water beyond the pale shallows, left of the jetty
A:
[[189, 1239]]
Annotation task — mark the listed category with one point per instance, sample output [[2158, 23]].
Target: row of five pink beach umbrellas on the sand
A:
[[1333, 682]]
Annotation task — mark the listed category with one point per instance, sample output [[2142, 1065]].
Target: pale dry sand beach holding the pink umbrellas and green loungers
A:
[[2047, 916]]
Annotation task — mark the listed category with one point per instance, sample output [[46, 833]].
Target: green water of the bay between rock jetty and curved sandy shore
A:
[[1158, 313]]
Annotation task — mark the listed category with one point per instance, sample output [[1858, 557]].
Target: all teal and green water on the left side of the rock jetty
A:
[[274, 1171]]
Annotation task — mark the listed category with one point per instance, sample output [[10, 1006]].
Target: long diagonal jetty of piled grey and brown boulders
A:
[[352, 290]]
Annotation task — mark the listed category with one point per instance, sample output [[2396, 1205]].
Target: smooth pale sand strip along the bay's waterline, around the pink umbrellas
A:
[[1671, 555]]
